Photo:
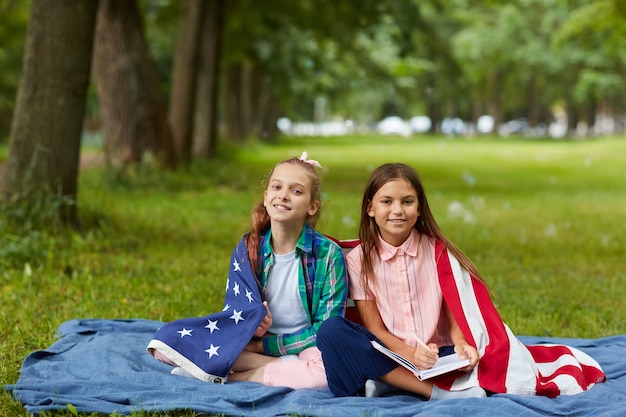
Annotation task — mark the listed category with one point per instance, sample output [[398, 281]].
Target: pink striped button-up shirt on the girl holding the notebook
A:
[[407, 291]]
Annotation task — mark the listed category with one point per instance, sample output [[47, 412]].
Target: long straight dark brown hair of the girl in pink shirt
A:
[[426, 224]]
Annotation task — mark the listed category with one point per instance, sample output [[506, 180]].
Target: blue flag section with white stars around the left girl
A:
[[207, 347]]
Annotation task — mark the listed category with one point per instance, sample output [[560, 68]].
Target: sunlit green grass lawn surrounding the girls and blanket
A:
[[543, 221]]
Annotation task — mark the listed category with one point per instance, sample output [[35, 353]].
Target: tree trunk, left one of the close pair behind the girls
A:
[[184, 77]]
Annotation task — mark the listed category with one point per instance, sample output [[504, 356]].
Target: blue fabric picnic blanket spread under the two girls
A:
[[101, 365]]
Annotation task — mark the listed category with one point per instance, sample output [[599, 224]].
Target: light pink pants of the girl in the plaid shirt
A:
[[305, 372]]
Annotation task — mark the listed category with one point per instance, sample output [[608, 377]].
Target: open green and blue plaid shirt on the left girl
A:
[[322, 286]]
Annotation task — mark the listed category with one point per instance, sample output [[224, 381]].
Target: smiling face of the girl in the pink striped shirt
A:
[[395, 210]]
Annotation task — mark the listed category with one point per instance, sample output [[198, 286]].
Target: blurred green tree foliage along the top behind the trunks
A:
[[410, 57]]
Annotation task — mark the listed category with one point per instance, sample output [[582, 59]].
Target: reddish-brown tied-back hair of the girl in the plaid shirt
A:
[[260, 220]]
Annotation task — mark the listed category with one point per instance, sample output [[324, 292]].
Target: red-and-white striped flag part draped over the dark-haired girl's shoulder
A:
[[506, 365]]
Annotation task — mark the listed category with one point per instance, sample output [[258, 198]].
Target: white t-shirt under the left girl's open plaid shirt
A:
[[283, 297]]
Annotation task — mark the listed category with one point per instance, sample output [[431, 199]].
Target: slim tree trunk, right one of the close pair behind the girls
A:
[[205, 136]]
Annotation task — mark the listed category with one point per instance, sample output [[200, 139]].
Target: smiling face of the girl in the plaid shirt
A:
[[288, 197]]
